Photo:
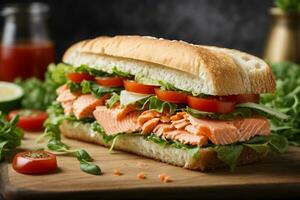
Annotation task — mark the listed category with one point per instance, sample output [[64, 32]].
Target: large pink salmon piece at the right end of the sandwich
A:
[[229, 132]]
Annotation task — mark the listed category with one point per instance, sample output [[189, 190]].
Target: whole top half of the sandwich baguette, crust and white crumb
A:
[[194, 68]]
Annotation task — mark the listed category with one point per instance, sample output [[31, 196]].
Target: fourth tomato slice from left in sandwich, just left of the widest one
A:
[[171, 96]]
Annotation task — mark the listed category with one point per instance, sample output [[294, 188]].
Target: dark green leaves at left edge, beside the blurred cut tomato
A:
[[10, 135]]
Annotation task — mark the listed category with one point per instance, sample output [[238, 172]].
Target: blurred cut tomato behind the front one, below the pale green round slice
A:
[[30, 120]]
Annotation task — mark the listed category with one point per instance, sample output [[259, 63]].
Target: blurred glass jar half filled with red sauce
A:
[[25, 48]]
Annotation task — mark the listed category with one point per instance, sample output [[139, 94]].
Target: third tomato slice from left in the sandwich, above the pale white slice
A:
[[133, 86]]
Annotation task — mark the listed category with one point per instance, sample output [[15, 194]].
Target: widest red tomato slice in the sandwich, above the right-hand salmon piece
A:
[[210, 104]]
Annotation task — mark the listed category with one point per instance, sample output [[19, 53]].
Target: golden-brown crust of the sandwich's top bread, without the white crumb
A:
[[216, 67]]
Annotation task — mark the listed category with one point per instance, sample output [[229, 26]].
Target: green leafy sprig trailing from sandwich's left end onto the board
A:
[[56, 117]]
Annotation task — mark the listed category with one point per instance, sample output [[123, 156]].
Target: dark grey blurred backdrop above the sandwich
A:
[[240, 24]]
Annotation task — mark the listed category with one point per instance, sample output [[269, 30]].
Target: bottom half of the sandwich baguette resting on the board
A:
[[138, 145]]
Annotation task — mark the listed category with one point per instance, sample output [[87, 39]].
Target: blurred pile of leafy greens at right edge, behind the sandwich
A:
[[286, 99]]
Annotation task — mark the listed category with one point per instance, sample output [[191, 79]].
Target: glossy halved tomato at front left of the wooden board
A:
[[34, 162]]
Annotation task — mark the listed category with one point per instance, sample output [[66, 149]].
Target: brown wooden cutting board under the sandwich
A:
[[277, 176]]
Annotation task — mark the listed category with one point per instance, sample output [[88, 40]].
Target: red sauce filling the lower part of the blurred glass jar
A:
[[25, 60]]
